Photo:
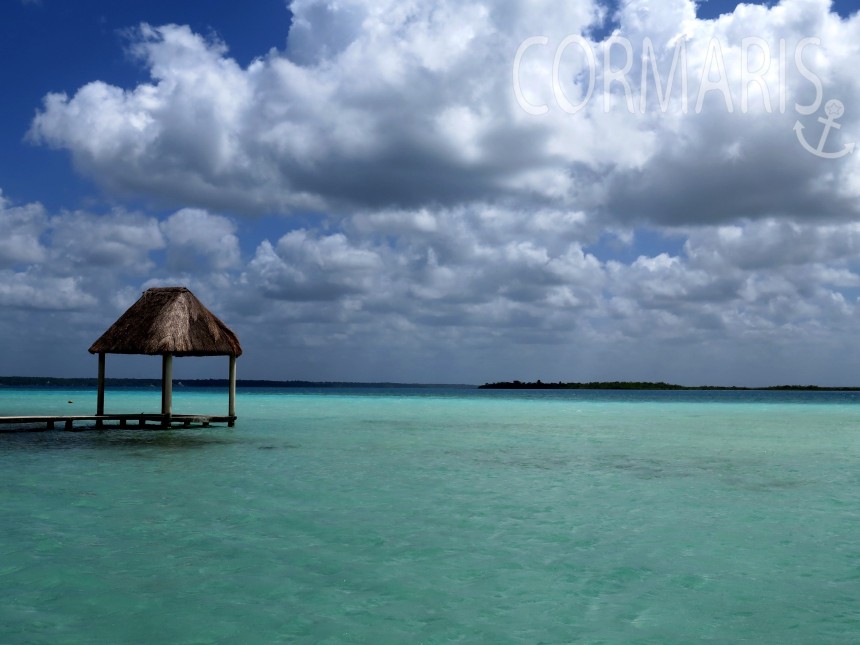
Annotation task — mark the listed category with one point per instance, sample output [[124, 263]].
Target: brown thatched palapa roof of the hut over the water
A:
[[168, 320]]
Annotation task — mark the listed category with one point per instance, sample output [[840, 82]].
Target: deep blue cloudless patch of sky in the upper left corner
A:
[[61, 46]]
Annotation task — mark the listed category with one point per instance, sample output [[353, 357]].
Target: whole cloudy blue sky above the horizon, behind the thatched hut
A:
[[354, 188]]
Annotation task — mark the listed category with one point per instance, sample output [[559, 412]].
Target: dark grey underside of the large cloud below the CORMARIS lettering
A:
[[731, 168]]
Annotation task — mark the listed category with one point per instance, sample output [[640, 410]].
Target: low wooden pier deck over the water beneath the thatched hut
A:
[[104, 421]]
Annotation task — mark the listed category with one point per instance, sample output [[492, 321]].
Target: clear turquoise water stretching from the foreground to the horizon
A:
[[436, 516]]
